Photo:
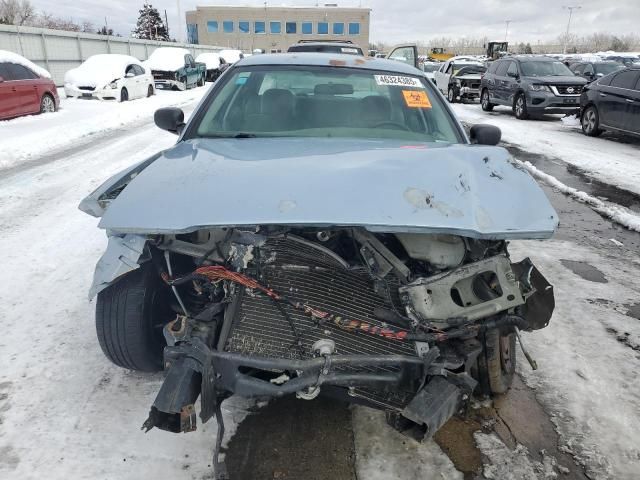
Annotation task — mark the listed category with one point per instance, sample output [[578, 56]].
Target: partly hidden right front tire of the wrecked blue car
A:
[[497, 362]]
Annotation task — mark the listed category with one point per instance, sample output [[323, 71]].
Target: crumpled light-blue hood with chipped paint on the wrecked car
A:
[[382, 185]]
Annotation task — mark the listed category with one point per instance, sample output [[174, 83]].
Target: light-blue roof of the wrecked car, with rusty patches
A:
[[330, 60]]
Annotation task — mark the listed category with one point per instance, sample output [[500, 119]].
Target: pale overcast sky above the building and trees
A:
[[404, 20]]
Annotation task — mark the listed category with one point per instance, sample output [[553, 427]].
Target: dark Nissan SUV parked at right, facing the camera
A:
[[531, 85]]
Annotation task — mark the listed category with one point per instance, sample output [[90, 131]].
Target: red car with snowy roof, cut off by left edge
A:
[[25, 88]]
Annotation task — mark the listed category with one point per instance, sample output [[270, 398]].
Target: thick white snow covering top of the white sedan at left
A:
[[100, 70]]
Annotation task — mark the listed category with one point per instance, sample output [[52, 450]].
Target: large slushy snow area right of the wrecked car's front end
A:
[[589, 361]]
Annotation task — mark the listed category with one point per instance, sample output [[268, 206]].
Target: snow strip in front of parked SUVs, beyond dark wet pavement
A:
[[609, 161]]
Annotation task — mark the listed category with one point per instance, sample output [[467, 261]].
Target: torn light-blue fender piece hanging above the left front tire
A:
[[122, 256]]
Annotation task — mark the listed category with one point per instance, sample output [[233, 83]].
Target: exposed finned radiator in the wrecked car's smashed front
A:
[[307, 274]]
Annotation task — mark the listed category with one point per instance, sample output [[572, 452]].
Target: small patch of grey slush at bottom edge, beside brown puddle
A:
[[506, 464]]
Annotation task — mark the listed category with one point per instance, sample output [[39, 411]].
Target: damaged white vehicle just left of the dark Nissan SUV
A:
[[459, 77]]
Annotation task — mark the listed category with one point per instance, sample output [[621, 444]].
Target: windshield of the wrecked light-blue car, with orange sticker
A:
[[314, 101]]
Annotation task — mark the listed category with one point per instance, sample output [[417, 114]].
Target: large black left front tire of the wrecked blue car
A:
[[130, 315]]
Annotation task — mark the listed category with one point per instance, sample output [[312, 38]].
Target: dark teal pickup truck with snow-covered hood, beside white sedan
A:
[[175, 68]]
